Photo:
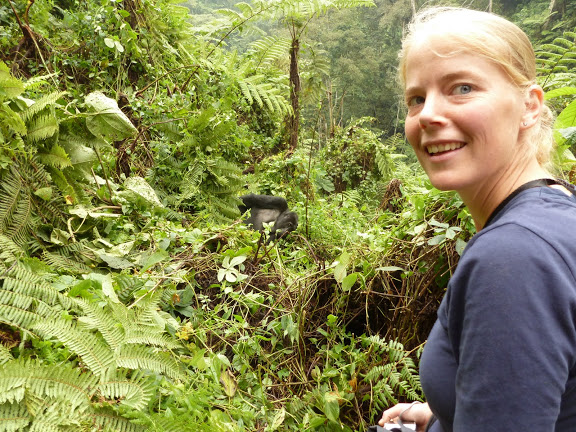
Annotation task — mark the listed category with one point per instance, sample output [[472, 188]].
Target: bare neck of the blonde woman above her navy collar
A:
[[483, 199]]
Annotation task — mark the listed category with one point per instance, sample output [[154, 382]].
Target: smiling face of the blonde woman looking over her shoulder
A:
[[464, 118]]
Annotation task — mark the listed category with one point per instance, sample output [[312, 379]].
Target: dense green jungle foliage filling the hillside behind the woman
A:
[[131, 296]]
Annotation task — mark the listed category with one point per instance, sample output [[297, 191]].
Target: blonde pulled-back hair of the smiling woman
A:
[[494, 38]]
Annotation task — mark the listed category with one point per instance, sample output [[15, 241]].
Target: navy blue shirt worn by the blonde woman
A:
[[502, 354]]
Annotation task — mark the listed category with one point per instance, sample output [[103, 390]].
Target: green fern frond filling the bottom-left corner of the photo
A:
[[61, 398]]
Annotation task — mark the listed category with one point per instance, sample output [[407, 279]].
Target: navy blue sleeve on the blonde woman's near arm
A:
[[511, 320]]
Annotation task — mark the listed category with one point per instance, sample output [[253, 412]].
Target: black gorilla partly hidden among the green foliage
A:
[[268, 208]]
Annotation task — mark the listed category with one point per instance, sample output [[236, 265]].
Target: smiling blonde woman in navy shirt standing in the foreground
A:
[[502, 354]]
